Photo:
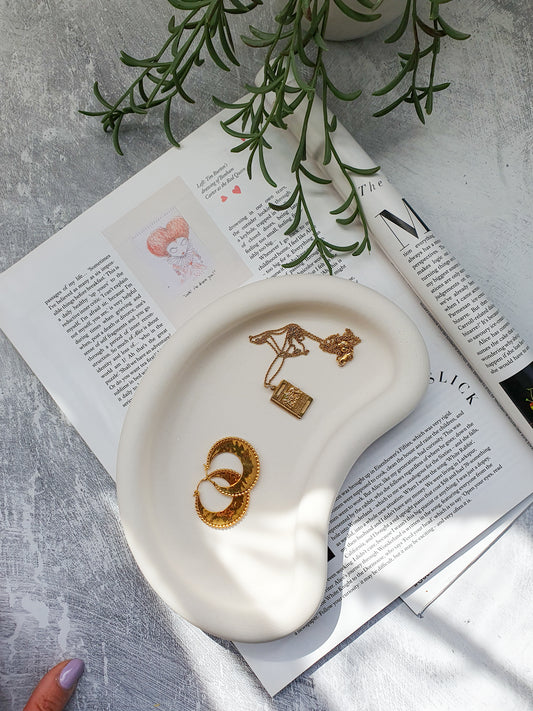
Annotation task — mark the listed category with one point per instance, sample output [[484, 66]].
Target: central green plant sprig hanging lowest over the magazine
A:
[[296, 48]]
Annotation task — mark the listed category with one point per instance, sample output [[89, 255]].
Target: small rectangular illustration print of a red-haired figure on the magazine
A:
[[171, 247]]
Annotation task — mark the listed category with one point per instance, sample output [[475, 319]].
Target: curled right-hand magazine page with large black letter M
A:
[[496, 352]]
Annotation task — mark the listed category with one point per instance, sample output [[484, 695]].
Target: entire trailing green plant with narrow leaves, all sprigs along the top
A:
[[294, 75]]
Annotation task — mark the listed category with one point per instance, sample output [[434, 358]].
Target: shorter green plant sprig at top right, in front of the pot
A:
[[409, 73]]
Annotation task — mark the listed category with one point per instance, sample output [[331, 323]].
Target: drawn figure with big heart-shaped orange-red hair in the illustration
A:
[[173, 243]]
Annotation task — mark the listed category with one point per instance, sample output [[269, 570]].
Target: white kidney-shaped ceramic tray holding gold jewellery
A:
[[264, 577]]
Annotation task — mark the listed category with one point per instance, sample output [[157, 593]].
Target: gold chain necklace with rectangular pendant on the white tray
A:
[[285, 394]]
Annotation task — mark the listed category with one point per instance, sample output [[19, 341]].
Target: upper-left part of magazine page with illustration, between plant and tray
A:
[[90, 307]]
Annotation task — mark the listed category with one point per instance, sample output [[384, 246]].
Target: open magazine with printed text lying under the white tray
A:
[[90, 308]]
